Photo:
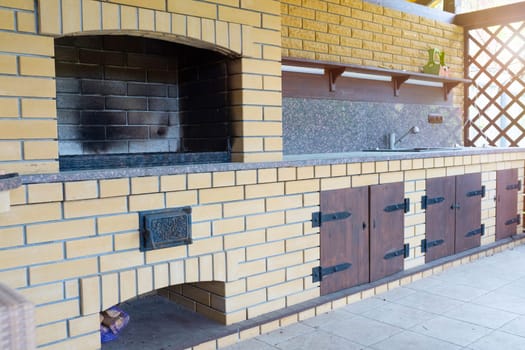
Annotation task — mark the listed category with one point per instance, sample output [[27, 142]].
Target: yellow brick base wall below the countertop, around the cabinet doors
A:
[[72, 247]]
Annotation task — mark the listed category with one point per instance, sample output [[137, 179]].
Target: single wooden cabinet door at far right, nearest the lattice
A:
[[507, 188]]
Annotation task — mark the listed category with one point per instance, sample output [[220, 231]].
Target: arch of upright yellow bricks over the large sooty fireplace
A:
[[92, 17]]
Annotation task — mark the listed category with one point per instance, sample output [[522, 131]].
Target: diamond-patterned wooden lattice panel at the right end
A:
[[495, 101]]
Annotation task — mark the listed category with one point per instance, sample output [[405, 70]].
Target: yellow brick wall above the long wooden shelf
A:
[[359, 32]]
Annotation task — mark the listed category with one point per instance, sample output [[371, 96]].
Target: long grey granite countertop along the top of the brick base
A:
[[288, 161]]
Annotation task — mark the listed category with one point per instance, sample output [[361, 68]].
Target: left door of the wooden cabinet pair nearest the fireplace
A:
[[346, 240]]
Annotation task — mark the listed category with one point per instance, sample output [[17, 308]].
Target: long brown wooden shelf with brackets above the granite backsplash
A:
[[334, 71]]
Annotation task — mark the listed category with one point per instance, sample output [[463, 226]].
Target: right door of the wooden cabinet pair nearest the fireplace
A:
[[386, 230]]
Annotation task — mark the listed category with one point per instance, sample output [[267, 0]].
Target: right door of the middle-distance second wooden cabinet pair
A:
[[468, 212]]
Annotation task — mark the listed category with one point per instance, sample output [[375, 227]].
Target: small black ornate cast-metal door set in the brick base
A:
[[165, 228]]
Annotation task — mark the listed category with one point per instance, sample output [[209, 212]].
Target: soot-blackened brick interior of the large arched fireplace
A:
[[134, 95]]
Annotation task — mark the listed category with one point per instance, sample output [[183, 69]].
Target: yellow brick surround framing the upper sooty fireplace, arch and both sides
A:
[[248, 30]]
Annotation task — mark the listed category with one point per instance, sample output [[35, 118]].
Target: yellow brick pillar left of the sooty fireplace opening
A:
[[27, 90]]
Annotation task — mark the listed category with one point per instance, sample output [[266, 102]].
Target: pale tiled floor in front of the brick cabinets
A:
[[476, 306]]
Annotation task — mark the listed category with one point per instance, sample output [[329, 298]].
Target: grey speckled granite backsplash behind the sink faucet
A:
[[324, 126]]
